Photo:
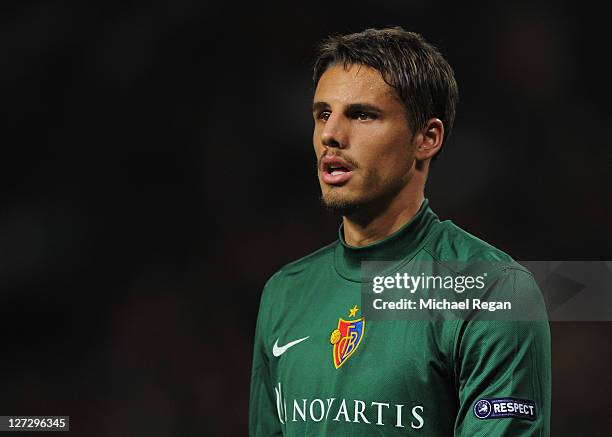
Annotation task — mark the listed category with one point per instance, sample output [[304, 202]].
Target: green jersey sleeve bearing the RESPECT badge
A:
[[503, 370]]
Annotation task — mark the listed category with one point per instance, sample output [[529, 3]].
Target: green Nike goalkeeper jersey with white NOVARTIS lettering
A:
[[322, 369]]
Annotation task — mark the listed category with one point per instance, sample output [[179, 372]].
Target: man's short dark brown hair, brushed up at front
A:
[[421, 77]]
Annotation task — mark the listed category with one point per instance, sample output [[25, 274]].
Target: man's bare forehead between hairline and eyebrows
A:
[[357, 83]]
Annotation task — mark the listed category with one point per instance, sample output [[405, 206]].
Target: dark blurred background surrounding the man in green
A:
[[157, 168]]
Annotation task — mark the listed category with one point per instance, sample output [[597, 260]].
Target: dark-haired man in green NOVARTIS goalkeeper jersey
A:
[[383, 105]]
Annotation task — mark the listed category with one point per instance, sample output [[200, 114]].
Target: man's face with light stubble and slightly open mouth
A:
[[361, 137]]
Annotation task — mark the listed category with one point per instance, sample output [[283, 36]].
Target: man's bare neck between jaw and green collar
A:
[[360, 232]]
